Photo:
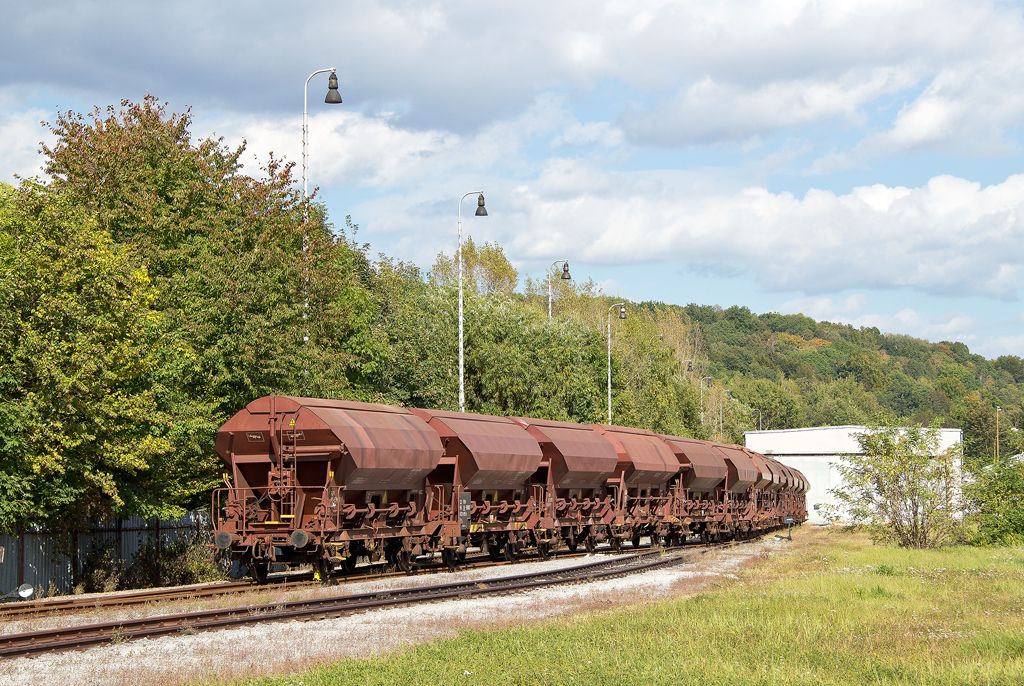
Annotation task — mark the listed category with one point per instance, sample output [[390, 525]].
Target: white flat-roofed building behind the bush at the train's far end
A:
[[817, 450]]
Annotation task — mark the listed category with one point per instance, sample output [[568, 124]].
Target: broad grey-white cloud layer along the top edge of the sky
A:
[[726, 70]]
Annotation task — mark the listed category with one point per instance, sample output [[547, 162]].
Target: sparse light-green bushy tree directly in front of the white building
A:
[[903, 488]]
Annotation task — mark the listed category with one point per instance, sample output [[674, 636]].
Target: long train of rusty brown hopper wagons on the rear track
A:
[[328, 483]]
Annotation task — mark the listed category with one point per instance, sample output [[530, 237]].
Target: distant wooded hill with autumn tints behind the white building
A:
[[799, 372]]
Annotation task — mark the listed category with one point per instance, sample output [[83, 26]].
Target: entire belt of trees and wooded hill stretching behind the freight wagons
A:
[[150, 289]]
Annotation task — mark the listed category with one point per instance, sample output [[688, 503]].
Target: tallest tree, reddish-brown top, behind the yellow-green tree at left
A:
[[249, 292]]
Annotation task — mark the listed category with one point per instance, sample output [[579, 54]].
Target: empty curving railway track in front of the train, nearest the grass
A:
[[113, 632]]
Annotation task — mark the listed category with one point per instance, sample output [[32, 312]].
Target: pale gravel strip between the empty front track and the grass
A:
[[287, 647]]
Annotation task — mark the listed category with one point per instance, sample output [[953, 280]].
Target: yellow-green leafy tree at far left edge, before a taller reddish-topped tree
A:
[[80, 432]]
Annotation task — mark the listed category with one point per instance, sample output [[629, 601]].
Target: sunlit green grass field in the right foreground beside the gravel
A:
[[835, 611]]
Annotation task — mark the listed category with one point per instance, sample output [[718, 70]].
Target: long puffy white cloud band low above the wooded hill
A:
[[949, 237]]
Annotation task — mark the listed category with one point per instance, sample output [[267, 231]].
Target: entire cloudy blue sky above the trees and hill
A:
[[857, 162]]
